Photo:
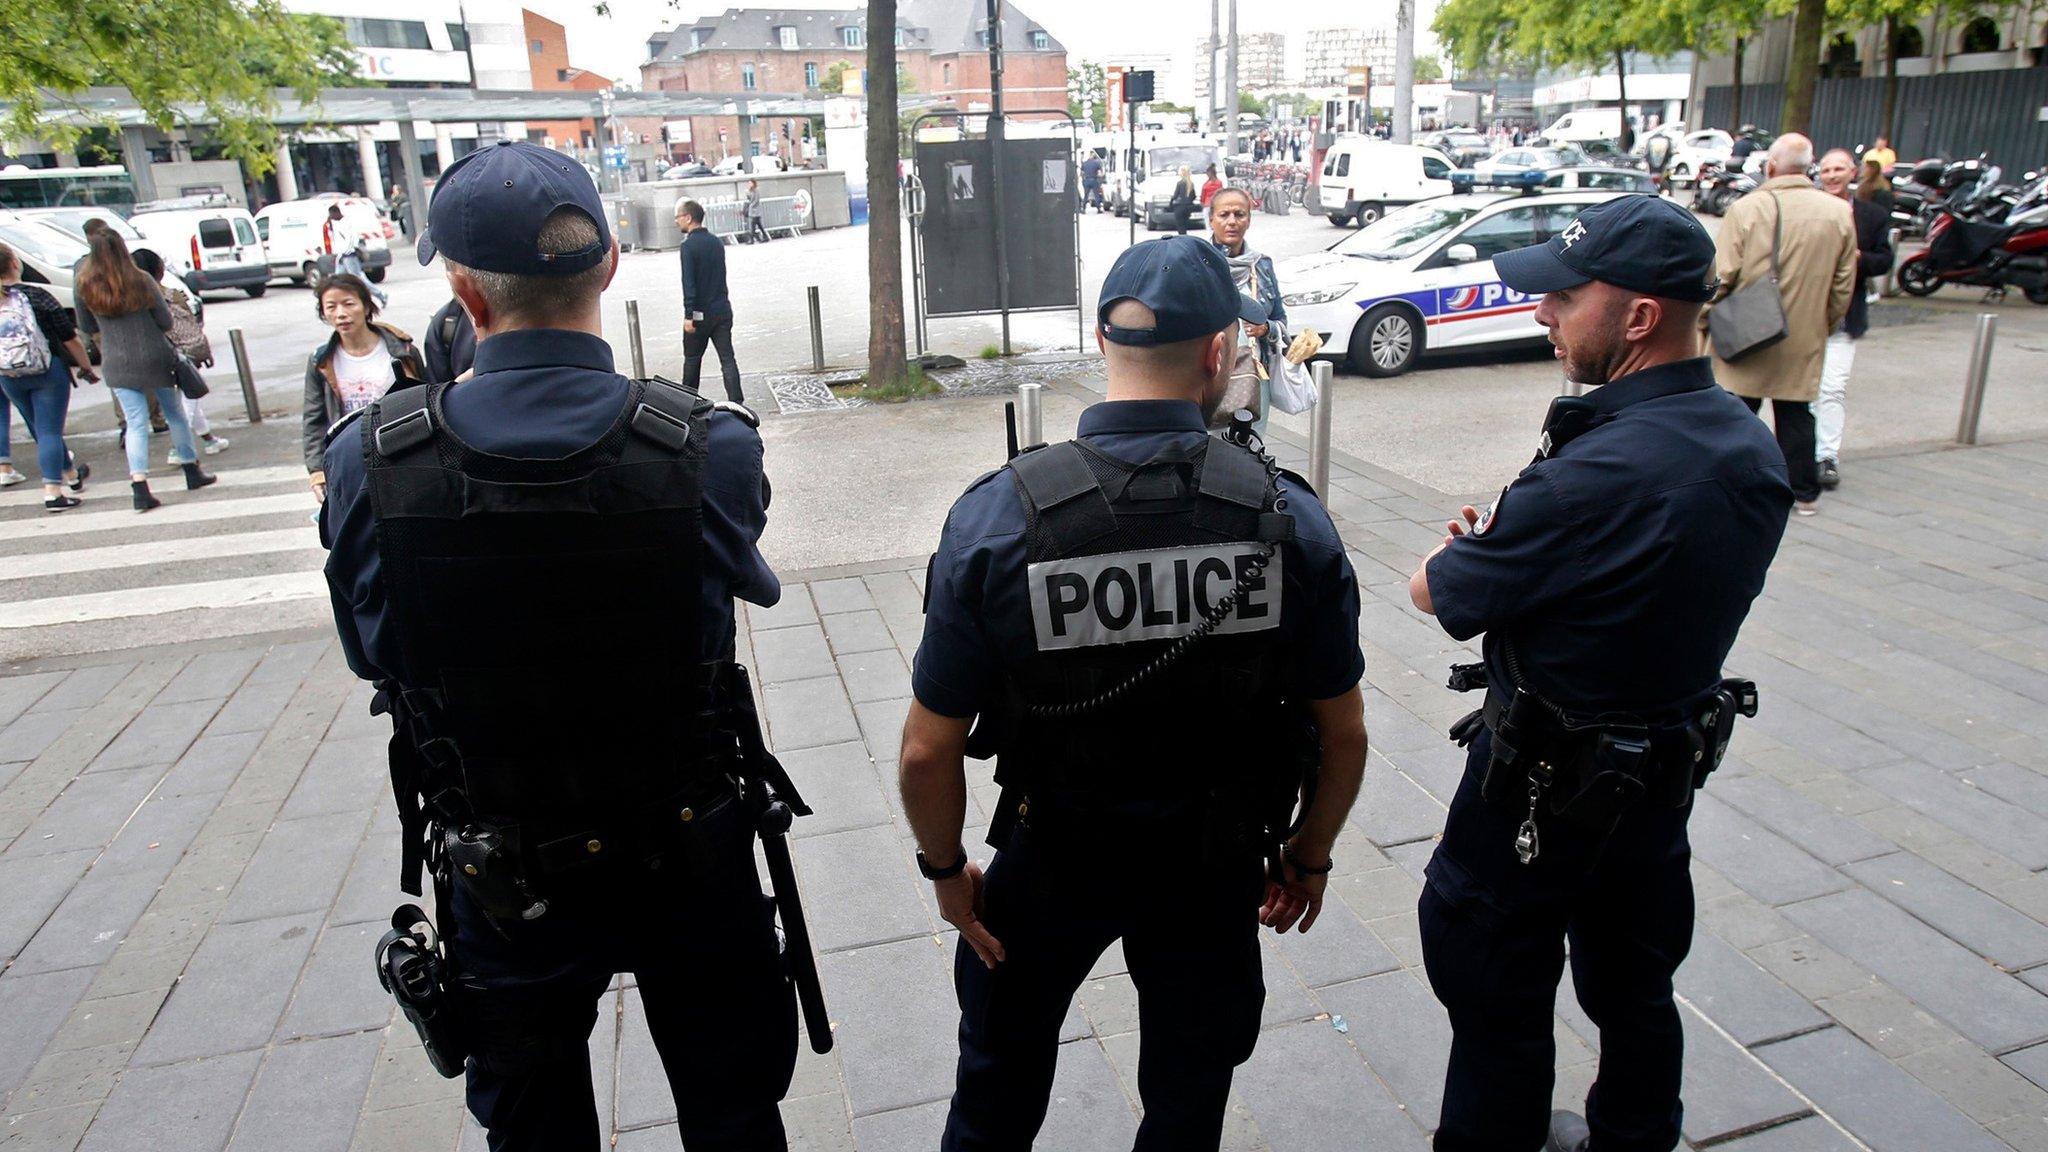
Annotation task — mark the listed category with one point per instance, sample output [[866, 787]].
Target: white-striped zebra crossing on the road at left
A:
[[234, 559]]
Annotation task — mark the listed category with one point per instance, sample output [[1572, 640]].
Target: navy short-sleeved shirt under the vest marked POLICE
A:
[[978, 606]]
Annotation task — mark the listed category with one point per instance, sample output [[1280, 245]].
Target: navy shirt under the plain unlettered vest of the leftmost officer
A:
[[546, 395]]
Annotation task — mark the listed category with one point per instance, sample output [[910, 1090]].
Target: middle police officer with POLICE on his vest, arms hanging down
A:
[[1158, 630]]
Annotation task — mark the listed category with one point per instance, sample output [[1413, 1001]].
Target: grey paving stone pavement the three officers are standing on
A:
[[198, 850]]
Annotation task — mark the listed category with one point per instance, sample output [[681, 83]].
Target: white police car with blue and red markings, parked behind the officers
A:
[[1422, 278]]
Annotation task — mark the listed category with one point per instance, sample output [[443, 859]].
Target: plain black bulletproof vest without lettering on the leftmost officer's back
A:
[[548, 612]]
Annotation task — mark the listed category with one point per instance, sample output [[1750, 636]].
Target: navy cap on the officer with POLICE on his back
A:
[[1185, 282]]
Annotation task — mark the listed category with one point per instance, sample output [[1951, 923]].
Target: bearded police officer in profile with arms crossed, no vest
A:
[[1609, 581]]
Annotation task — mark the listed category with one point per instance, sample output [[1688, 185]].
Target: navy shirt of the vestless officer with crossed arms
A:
[[1623, 567]]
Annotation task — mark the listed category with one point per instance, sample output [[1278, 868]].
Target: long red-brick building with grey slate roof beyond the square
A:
[[792, 52]]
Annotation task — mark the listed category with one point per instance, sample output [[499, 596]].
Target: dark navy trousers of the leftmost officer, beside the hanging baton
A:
[[710, 971]]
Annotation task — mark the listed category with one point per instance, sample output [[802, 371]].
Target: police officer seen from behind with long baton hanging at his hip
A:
[[540, 567]]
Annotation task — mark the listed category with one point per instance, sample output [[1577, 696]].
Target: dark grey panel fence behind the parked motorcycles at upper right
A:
[[1959, 114]]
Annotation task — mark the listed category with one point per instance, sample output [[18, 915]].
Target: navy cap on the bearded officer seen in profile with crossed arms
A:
[[1637, 243]]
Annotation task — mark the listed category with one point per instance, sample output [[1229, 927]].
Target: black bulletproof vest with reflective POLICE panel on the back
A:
[[1115, 712]]
